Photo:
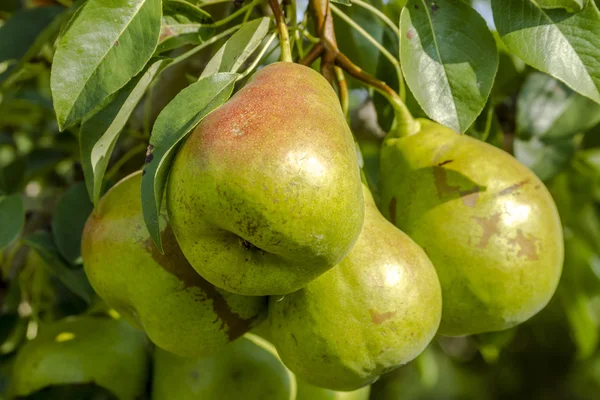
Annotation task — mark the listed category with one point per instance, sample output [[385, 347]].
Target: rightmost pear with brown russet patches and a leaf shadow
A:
[[487, 223]]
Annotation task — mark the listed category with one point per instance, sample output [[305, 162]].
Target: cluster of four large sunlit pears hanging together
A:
[[266, 218]]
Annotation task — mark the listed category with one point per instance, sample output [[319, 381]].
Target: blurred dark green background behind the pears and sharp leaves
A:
[[547, 126]]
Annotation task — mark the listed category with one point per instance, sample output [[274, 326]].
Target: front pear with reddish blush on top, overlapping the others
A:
[[265, 194]]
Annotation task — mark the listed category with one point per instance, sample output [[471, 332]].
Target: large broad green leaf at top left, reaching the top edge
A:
[[108, 43]]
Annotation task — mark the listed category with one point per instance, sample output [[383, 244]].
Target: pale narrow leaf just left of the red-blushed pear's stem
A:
[[234, 53]]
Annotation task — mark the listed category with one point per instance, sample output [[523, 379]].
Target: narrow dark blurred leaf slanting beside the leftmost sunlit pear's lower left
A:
[[43, 244]]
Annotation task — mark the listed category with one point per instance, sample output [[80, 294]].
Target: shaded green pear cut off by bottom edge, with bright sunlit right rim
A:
[[248, 369]]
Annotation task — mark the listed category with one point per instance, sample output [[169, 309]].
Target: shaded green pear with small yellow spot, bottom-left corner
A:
[[83, 350]]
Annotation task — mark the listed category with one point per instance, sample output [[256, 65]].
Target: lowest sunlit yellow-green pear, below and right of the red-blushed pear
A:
[[376, 310]]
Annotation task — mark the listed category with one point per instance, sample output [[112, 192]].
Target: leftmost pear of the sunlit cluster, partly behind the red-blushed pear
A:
[[161, 293]]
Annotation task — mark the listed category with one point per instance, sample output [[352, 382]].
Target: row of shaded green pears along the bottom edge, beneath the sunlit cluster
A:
[[98, 357]]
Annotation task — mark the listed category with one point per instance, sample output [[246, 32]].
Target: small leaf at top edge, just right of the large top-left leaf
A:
[[183, 23]]
